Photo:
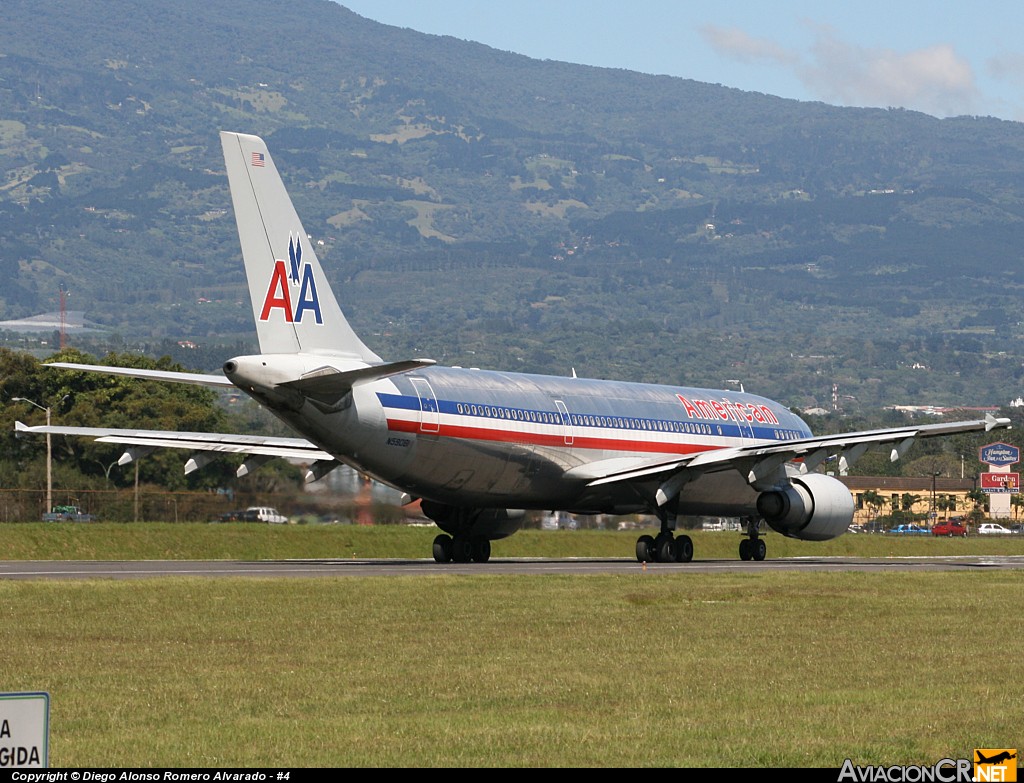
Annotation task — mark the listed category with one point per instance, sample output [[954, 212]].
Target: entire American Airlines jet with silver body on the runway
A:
[[481, 448]]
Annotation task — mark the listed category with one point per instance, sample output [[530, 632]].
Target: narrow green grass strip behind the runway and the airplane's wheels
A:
[[168, 541]]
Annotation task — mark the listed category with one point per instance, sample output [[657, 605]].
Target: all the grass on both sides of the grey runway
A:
[[781, 670]]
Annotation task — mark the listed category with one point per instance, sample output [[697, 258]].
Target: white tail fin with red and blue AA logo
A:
[[294, 309]]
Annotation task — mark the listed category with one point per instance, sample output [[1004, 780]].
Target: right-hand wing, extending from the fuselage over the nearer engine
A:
[[760, 462]]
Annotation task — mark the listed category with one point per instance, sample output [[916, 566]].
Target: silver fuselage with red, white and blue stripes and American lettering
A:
[[489, 440]]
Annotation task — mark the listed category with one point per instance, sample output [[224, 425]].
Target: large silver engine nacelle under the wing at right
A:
[[814, 508]]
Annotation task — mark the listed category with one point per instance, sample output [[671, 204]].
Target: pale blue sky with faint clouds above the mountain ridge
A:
[[941, 58]]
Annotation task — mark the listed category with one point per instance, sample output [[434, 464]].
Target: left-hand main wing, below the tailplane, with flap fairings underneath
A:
[[206, 446]]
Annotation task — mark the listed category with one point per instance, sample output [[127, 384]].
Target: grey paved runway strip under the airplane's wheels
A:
[[82, 570]]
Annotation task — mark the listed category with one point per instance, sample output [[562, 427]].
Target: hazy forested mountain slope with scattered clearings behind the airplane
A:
[[487, 209]]
